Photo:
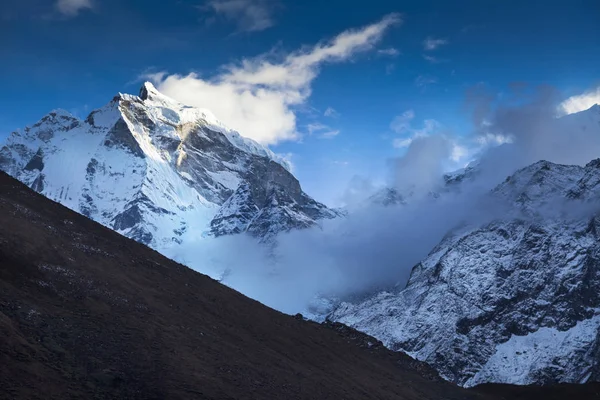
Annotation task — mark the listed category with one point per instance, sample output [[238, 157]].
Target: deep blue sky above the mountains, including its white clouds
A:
[[405, 72]]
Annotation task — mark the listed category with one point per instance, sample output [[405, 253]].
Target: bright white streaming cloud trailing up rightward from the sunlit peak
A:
[[259, 97]]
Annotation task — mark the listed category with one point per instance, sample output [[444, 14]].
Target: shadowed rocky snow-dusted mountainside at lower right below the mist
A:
[[515, 300]]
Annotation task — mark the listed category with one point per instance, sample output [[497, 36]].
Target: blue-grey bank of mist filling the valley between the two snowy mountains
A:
[[375, 247]]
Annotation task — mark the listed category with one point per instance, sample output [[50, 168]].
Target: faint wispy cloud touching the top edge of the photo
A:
[[248, 15]]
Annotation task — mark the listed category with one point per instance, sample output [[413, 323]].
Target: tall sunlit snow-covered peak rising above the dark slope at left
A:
[[160, 172]]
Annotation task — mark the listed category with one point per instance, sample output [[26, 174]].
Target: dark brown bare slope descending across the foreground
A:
[[87, 313]]
